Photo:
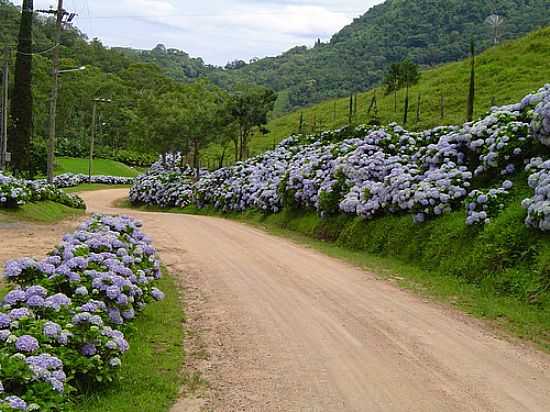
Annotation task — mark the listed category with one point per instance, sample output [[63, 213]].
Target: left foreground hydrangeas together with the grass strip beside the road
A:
[[69, 342]]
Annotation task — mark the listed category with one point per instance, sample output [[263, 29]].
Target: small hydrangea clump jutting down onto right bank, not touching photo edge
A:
[[482, 206]]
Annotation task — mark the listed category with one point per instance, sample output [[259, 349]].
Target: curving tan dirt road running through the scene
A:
[[289, 329]]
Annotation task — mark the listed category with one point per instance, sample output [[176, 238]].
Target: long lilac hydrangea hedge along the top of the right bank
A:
[[372, 171]]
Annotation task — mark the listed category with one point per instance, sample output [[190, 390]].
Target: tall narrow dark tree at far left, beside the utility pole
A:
[[22, 102]]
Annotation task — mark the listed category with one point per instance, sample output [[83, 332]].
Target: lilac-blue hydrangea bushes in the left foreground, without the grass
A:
[[66, 317]]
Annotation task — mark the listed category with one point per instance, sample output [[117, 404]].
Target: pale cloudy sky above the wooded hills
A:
[[216, 30]]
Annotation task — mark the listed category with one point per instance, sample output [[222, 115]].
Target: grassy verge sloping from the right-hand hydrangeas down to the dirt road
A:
[[496, 274]]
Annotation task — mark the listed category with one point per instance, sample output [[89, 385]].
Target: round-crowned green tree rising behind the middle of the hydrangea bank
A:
[[249, 107]]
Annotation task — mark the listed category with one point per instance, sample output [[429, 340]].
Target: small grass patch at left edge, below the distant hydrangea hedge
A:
[[41, 212]]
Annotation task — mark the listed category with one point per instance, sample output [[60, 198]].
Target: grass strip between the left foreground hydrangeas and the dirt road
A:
[[151, 374]]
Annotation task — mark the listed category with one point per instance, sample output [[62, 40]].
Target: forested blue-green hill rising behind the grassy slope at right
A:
[[430, 32]]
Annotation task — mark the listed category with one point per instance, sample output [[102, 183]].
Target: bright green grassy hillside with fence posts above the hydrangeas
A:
[[506, 73]]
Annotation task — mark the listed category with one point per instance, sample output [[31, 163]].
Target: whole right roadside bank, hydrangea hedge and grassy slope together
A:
[[471, 200]]
